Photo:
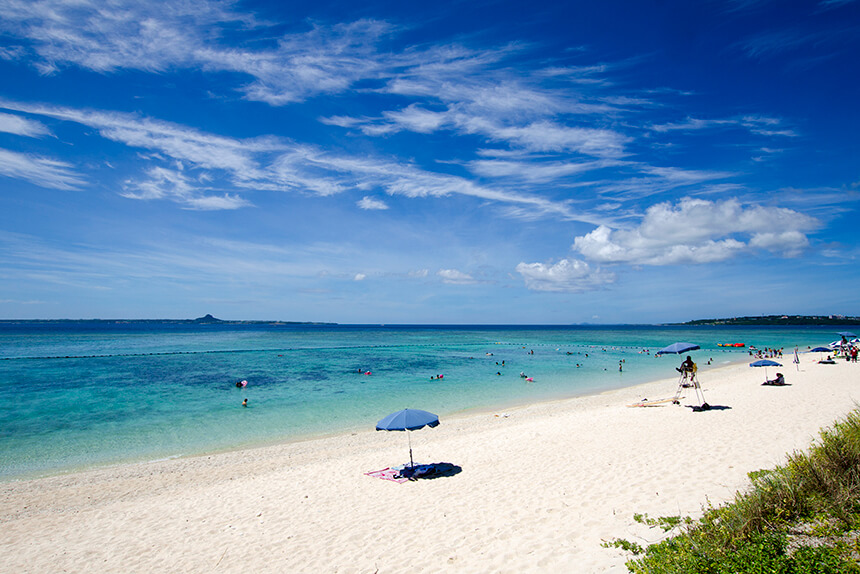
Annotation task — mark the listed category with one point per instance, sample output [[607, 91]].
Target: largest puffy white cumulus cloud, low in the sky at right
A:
[[698, 231]]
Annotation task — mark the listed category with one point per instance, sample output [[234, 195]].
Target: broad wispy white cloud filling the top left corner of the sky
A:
[[105, 37]]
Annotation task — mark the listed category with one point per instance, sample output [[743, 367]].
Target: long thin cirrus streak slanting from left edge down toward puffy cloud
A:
[[268, 163]]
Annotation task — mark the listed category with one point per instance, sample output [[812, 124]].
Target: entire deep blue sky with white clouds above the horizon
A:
[[454, 162]]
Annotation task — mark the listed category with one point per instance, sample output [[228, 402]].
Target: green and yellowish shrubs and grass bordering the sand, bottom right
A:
[[799, 518]]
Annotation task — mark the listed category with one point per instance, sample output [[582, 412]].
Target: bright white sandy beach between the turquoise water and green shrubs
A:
[[538, 491]]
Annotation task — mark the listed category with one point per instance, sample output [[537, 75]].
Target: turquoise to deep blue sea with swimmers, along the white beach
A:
[[84, 394]]
